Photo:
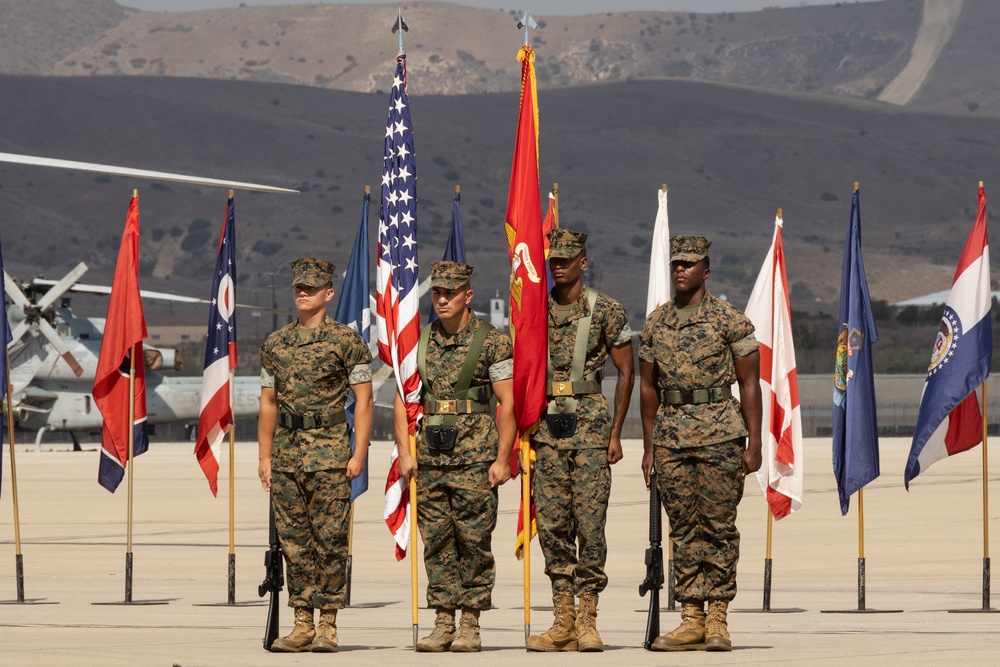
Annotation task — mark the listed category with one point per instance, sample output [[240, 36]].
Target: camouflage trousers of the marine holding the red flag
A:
[[572, 487]]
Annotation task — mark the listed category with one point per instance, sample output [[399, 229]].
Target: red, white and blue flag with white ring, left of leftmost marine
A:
[[216, 417]]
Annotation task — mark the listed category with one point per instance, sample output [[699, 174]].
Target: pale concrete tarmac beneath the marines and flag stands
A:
[[923, 553]]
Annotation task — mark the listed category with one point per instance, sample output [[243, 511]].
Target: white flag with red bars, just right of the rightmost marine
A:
[[780, 474]]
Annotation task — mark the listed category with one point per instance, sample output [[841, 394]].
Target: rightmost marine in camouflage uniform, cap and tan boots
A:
[[701, 440]]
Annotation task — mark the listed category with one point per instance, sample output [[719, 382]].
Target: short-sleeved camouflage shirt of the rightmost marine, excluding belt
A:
[[696, 355]]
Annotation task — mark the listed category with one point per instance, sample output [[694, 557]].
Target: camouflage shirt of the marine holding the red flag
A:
[[608, 328]]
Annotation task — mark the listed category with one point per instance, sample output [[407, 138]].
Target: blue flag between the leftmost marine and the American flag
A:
[[354, 310]]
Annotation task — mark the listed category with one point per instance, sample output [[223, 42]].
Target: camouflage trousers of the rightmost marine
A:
[[700, 488]]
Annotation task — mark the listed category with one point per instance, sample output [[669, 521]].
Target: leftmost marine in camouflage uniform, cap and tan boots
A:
[[307, 369]]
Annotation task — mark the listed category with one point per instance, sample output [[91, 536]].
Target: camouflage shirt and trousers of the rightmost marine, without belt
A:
[[698, 451]]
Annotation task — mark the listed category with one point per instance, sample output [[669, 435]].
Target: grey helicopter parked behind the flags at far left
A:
[[53, 361]]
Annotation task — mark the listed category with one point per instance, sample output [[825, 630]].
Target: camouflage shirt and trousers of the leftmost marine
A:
[[311, 370]]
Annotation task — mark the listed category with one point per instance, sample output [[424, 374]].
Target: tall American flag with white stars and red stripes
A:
[[398, 305]]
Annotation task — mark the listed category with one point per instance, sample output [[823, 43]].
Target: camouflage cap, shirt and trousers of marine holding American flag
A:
[[457, 508]]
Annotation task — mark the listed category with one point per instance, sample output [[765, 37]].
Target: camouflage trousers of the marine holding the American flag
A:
[[456, 515]]
